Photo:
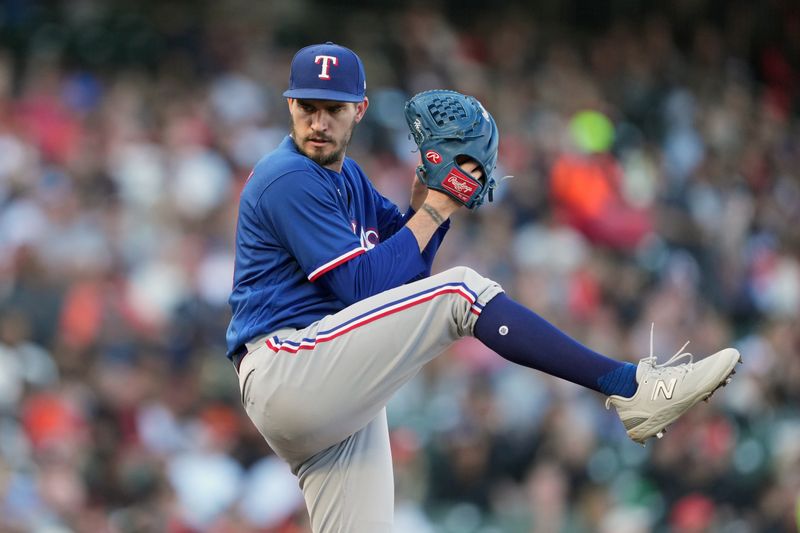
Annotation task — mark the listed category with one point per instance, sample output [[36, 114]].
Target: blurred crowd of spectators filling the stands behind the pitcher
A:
[[655, 157]]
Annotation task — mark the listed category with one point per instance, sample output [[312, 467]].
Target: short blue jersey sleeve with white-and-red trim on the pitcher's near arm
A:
[[309, 221]]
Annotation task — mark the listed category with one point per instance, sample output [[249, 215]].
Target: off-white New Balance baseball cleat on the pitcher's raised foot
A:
[[668, 390]]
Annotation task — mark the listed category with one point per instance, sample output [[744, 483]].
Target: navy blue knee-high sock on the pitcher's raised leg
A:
[[523, 337]]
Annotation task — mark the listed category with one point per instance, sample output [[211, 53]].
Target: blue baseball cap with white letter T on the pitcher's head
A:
[[327, 72]]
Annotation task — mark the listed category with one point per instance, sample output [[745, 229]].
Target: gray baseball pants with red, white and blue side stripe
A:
[[318, 394]]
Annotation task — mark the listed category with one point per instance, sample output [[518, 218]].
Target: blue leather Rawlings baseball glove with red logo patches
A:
[[450, 127]]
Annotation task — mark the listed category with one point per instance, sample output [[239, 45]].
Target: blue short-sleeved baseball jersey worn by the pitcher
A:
[[297, 221]]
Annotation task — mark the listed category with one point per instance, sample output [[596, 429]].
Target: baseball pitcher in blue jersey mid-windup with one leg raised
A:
[[334, 307]]
